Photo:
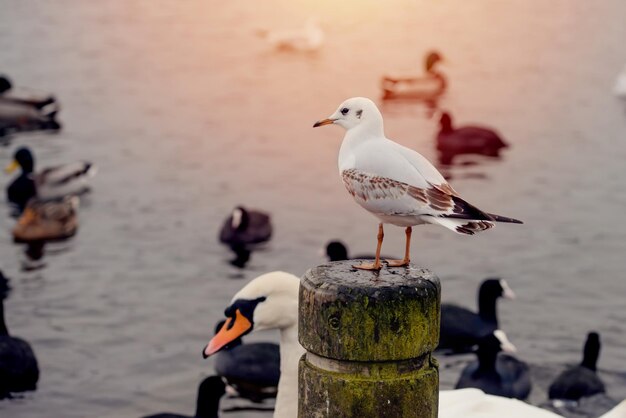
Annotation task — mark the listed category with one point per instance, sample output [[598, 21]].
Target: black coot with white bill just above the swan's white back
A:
[[501, 375]]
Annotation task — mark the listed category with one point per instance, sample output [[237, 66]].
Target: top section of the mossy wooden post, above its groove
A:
[[357, 315]]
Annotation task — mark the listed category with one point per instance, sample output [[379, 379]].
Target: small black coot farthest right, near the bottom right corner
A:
[[582, 380]]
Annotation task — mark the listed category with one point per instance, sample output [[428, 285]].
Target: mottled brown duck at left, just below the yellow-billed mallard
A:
[[47, 221]]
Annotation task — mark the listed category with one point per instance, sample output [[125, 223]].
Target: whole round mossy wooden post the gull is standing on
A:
[[369, 339]]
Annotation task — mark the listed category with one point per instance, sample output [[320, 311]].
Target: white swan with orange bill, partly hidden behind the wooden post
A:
[[271, 302]]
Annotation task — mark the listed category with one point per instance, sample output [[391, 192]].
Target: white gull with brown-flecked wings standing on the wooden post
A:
[[396, 184]]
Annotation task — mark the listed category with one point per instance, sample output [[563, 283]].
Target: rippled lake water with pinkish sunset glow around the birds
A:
[[187, 113]]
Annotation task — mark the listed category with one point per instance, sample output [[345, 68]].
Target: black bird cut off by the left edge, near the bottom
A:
[[19, 371]]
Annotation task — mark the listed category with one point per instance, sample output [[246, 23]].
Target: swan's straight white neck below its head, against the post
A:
[[290, 353]]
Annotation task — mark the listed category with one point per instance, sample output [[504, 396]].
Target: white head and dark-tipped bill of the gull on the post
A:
[[356, 112]]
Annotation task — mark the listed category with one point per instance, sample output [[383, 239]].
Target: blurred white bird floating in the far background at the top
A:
[[306, 39]]
